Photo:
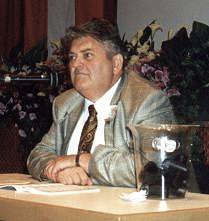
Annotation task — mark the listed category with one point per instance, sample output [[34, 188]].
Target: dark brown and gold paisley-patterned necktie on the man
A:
[[88, 132]]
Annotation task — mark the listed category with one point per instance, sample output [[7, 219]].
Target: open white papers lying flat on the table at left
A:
[[51, 189]]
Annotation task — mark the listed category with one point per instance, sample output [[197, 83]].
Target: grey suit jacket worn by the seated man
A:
[[137, 100]]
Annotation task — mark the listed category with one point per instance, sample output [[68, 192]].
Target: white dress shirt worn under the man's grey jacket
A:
[[102, 106]]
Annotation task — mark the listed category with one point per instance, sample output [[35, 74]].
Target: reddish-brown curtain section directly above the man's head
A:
[[86, 10]]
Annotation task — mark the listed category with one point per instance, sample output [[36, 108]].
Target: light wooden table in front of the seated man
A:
[[104, 205]]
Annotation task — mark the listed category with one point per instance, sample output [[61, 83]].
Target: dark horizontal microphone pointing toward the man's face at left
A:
[[53, 79]]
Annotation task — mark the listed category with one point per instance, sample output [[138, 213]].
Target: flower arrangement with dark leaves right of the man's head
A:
[[180, 68]]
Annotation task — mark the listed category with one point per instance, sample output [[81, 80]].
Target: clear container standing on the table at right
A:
[[162, 158]]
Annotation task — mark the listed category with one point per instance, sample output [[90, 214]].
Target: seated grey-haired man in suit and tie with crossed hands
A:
[[96, 68]]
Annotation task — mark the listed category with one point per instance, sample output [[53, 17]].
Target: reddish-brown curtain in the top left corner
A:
[[23, 24]]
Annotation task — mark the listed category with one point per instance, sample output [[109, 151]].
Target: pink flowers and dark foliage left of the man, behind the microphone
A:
[[28, 105]]
